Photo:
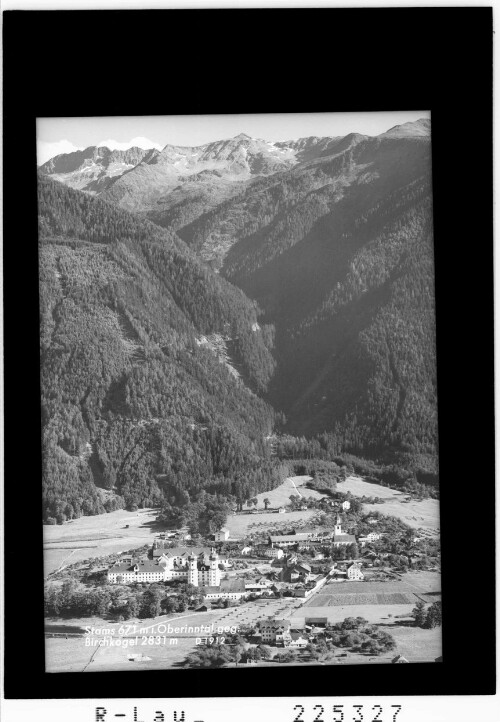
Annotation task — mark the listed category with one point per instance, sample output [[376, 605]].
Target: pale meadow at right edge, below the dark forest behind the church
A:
[[417, 514]]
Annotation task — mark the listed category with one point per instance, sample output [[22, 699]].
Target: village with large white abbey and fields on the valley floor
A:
[[294, 576]]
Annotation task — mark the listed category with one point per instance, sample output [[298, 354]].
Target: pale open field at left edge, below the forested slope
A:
[[97, 536]]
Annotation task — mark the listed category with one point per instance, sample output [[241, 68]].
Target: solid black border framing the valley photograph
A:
[[274, 60]]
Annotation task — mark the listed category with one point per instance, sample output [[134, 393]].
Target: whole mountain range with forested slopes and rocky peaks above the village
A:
[[303, 268]]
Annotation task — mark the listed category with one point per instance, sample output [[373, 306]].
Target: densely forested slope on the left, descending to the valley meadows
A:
[[132, 400]]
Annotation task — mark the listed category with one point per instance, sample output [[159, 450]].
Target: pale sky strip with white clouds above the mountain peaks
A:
[[65, 135]]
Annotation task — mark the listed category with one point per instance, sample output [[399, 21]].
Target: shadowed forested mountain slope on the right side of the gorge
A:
[[338, 251]]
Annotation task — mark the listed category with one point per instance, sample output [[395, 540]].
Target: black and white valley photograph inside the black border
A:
[[239, 399]]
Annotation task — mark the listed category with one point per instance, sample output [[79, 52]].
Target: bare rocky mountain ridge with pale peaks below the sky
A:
[[137, 179]]
